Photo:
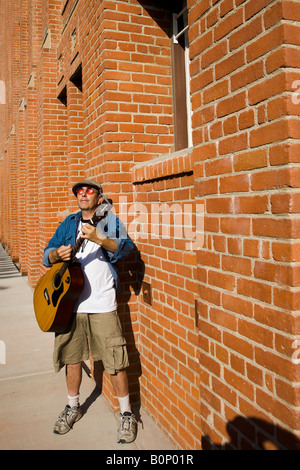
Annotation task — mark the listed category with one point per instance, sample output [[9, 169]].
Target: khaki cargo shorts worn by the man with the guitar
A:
[[98, 335]]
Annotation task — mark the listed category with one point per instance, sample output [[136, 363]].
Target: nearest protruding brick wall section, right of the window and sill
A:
[[245, 149]]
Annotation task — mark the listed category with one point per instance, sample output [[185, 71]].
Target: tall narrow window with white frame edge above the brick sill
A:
[[181, 79]]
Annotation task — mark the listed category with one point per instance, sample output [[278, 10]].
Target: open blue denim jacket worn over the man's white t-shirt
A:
[[110, 226]]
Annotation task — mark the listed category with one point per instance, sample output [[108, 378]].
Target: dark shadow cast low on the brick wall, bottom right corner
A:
[[247, 433]]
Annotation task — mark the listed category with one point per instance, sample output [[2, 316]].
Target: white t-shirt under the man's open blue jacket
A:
[[99, 293]]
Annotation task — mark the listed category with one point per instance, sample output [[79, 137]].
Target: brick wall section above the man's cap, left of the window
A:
[[128, 69]]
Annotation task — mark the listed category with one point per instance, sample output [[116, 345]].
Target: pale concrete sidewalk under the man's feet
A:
[[32, 395]]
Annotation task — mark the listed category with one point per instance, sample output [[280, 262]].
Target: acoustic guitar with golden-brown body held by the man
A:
[[58, 290]]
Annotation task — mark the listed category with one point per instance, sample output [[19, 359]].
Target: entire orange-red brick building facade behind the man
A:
[[188, 113]]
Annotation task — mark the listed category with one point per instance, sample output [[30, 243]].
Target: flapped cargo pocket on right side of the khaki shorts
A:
[[116, 353]]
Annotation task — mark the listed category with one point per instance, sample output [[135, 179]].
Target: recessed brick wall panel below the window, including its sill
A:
[[168, 338]]
